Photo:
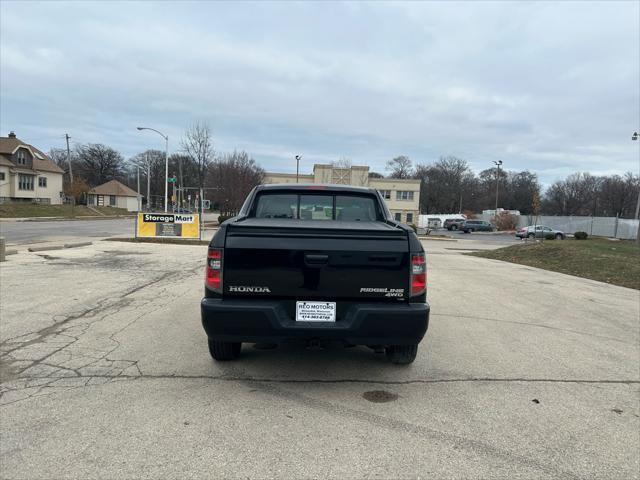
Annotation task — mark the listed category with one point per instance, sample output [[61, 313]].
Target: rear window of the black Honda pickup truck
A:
[[351, 208]]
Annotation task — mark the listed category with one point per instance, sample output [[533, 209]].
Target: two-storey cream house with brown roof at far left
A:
[[27, 174]]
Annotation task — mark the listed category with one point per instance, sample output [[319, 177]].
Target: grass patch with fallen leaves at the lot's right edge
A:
[[599, 259]]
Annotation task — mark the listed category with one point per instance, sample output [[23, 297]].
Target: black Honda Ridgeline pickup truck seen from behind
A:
[[316, 263]]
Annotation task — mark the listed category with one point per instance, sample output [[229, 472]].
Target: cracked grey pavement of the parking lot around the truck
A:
[[105, 374]]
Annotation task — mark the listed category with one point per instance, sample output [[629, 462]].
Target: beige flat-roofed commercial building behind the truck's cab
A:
[[402, 196]]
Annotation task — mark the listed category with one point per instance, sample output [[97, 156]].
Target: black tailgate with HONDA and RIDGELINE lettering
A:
[[306, 259]]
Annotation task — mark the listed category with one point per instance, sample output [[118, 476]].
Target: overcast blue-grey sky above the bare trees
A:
[[553, 87]]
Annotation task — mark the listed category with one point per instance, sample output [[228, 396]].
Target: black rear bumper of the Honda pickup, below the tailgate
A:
[[268, 321]]
